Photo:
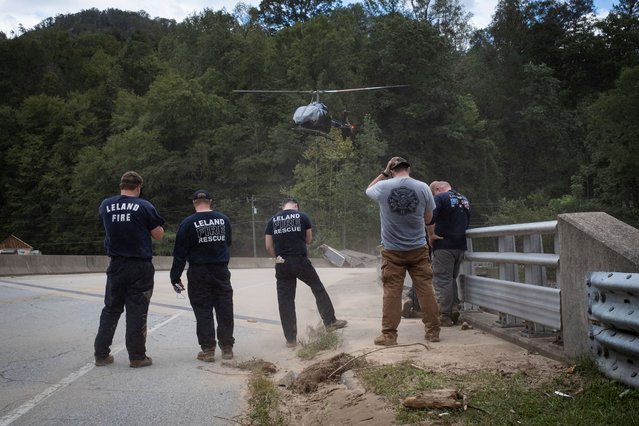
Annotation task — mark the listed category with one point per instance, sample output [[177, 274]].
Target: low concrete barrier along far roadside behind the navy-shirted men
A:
[[13, 264]]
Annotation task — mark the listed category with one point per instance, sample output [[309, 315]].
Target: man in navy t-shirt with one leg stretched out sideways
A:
[[286, 236]]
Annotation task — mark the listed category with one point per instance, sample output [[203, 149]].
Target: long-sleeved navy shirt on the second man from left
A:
[[202, 238]]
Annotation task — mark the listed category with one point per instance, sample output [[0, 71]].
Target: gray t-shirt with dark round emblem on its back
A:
[[402, 202]]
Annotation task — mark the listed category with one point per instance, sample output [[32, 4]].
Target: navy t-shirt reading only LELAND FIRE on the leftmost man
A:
[[128, 222]]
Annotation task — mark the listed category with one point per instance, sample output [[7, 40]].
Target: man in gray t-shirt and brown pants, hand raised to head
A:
[[406, 206]]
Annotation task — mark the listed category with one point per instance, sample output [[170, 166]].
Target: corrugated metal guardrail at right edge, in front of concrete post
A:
[[613, 310]]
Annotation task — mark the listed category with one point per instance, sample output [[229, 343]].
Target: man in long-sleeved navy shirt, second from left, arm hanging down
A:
[[203, 239]]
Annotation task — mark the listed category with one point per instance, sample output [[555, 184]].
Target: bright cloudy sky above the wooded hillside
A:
[[30, 12]]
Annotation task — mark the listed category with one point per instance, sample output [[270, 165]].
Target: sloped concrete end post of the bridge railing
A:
[[590, 242]]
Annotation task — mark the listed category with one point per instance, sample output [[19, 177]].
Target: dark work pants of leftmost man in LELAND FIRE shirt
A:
[[129, 286]]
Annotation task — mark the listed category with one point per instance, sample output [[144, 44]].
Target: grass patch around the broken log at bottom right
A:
[[496, 398]]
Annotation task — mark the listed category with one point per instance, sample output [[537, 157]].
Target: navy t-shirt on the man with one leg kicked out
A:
[[288, 229]]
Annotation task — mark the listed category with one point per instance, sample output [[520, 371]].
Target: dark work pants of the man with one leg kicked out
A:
[[287, 274]]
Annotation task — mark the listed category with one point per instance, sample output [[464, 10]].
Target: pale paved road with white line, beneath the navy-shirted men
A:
[[47, 327]]
